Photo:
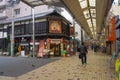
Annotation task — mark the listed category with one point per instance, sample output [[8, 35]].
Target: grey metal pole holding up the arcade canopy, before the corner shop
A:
[[33, 17]]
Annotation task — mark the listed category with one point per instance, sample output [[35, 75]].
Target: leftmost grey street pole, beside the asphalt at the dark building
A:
[[12, 36]]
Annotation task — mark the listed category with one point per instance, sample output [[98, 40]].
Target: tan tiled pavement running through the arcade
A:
[[70, 68]]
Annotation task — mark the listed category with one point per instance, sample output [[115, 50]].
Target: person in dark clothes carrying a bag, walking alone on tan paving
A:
[[83, 52]]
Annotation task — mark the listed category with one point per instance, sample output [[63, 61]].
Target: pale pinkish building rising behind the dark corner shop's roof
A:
[[20, 10]]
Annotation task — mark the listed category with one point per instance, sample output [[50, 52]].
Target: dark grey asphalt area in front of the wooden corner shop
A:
[[14, 67]]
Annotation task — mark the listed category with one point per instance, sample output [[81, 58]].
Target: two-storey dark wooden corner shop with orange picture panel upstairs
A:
[[52, 32]]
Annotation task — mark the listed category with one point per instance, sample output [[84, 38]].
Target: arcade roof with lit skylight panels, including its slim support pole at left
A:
[[90, 14]]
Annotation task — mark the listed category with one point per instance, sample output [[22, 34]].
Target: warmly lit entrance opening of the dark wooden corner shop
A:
[[55, 48]]
